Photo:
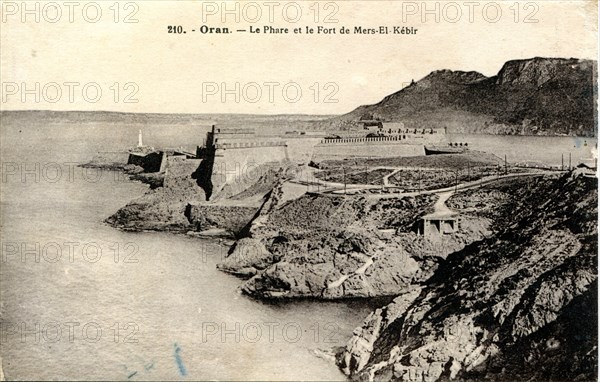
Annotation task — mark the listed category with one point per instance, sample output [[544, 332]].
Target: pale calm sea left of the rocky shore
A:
[[82, 300]]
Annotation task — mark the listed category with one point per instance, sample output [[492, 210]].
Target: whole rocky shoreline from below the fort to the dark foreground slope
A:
[[510, 278]]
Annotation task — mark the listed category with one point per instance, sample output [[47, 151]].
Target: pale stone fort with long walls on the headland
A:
[[237, 156]]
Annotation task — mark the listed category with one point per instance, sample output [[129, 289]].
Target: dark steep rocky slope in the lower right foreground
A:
[[518, 305]]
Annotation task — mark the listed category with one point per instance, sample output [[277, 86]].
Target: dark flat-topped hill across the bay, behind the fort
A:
[[544, 96]]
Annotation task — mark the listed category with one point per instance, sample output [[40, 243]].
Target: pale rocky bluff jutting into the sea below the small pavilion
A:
[[334, 247]]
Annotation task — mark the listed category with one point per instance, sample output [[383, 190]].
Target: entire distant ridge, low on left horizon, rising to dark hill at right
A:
[[536, 96]]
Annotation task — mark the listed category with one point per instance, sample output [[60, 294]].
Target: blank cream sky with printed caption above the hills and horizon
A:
[[120, 56]]
